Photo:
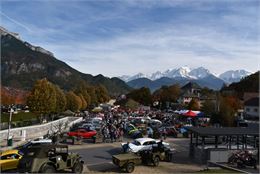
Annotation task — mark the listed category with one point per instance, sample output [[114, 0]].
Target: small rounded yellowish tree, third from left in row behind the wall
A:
[[73, 101]]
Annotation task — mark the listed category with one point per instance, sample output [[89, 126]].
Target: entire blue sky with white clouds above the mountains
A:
[[126, 37]]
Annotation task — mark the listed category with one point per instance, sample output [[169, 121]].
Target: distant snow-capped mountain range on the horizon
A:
[[182, 75]]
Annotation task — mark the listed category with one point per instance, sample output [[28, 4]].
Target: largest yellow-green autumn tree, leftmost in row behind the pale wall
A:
[[42, 98]]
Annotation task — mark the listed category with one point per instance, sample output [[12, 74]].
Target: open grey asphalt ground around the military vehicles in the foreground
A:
[[98, 158]]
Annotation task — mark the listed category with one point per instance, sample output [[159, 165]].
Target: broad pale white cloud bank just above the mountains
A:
[[159, 50]]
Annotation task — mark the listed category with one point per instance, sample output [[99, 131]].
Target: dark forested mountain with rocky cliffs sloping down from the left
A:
[[22, 64]]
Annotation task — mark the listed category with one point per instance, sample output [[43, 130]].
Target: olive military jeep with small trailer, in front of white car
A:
[[128, 161]]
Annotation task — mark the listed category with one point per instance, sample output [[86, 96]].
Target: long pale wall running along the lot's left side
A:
[[31, 132]]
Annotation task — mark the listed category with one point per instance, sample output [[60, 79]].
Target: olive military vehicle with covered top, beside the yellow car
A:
[[50, 159]]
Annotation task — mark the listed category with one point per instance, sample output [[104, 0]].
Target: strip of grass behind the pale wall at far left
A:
[[20, 116]]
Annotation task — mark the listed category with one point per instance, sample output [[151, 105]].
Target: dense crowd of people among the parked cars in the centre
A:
[[117, 124]]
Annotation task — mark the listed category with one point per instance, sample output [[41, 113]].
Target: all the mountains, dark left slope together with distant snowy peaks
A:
[[23, 63]]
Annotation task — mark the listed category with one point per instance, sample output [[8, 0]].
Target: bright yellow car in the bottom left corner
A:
[[10, 159]]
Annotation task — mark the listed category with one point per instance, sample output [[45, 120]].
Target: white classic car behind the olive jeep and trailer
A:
[[143, 144]]
